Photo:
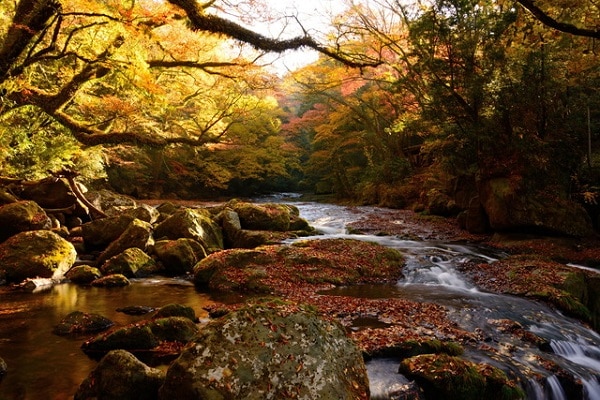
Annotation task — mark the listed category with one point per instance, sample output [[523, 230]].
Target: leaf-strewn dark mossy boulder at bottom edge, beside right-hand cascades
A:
[[442, 376]]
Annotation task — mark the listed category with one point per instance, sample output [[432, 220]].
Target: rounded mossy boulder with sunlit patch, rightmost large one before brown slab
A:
[[192, 224]]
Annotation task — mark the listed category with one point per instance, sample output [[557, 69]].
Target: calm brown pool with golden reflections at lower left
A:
[[45, 366]]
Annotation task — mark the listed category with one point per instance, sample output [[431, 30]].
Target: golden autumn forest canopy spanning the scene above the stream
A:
[[178, 97]]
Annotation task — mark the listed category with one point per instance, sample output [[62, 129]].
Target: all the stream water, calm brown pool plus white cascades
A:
[[45, 366]]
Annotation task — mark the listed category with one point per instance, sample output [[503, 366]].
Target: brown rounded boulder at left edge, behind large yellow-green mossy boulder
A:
[[22, 216]]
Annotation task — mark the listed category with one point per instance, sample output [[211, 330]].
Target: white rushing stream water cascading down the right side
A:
[[430, 275]]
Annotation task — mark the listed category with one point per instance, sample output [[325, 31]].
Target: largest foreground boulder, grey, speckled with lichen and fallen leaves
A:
[[268, 350]]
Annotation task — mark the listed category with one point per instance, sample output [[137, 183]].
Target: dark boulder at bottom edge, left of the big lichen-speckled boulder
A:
[[119, 375]]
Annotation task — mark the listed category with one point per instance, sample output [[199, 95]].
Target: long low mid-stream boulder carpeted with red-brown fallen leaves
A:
[[267, 269]]
